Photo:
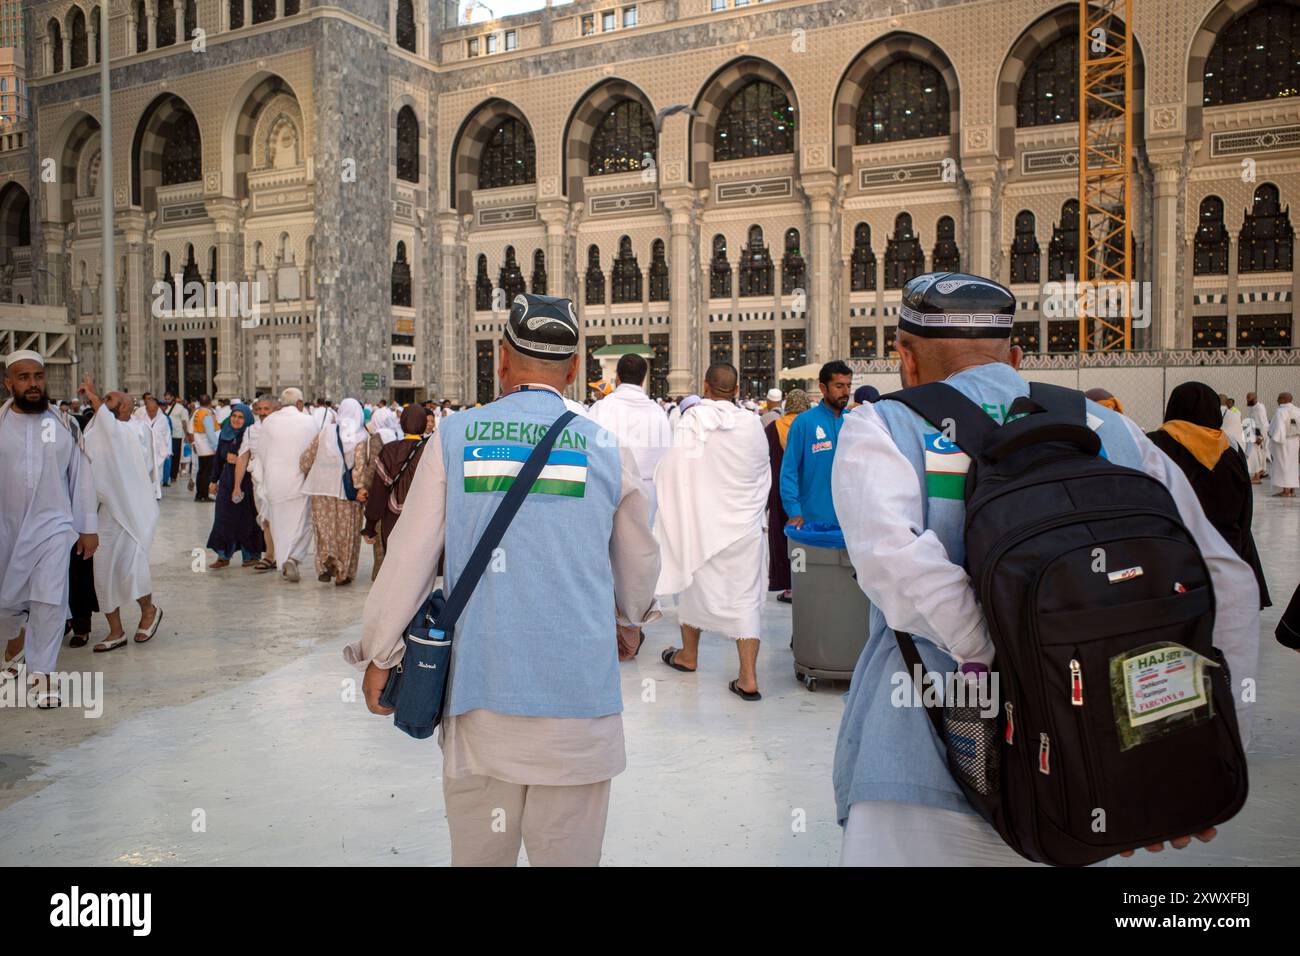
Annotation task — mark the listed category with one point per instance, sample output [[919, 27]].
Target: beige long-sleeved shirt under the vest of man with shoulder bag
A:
[[535, 751]]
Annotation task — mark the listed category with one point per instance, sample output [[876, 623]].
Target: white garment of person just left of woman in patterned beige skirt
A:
[[285, 435]]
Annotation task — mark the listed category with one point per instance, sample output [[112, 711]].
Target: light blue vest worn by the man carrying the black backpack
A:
[[886, 752]]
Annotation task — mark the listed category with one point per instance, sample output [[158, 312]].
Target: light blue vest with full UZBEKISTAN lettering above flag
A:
[[538, 637]]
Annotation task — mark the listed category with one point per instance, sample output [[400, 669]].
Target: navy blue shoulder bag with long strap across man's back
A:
[[418, 686]]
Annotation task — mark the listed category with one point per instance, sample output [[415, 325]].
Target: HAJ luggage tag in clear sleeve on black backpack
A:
[[1159, 690]]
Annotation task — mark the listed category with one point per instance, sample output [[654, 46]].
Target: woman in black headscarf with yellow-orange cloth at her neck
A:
[[1215, 466]]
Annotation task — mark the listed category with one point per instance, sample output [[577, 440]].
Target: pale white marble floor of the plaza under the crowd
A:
[[229, 741]]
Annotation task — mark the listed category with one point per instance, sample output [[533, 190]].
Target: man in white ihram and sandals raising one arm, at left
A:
[[123, 462]]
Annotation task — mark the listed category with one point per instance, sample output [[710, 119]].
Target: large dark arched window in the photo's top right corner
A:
[[1256, 58]]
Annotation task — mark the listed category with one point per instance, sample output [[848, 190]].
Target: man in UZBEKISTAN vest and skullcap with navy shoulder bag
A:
[[534, 729]]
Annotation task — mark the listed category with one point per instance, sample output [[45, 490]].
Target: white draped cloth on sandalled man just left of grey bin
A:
[[713, 500]]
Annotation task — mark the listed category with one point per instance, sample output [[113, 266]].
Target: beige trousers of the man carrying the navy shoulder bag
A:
[[558, 827]]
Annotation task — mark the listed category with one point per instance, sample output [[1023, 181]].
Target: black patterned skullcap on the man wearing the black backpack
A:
[[952, 305]]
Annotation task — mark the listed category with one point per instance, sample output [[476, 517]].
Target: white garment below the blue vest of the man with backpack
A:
[[886, 833]]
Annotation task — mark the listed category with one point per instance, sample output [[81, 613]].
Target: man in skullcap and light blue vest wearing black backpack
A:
[[899, 494]]
